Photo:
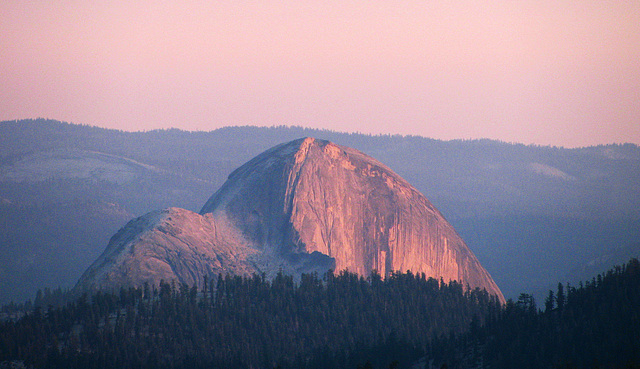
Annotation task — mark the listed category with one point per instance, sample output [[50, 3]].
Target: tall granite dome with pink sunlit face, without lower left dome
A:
[[311, 196]]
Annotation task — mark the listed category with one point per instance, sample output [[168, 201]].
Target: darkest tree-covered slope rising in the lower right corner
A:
[[593, 325]]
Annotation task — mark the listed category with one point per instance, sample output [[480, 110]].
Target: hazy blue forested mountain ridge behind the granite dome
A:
[[529, 213]]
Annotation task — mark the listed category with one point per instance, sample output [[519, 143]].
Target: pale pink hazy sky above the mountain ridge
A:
[[548, 72]]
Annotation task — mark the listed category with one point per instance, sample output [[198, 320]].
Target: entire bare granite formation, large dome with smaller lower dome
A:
[[303, 206]]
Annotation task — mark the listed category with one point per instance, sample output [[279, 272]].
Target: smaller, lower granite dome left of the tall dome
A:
[[170, 244]]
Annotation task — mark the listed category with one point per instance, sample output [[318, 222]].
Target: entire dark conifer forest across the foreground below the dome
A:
[[339, 321]]
